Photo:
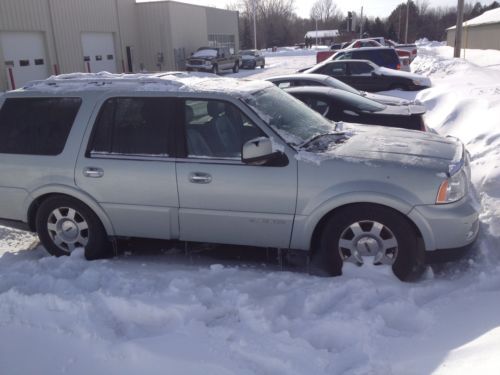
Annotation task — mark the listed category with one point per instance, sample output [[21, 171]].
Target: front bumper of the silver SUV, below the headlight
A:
[[448, 229]]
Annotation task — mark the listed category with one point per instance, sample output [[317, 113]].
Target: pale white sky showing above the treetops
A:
[[371, 8]]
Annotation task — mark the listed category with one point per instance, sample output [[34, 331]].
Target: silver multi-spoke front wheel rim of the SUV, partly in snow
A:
[[368, 238]]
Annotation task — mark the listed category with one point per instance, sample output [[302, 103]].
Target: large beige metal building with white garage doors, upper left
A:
[[39, 38]]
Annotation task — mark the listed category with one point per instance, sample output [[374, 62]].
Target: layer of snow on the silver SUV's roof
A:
[[166, 81]]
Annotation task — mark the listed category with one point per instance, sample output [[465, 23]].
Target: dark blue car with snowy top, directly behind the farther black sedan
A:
[[382, 56]]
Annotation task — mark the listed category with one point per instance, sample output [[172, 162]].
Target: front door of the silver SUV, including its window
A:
[[221, 199]]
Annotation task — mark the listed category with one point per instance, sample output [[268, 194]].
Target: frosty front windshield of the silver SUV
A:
[[291, 118]]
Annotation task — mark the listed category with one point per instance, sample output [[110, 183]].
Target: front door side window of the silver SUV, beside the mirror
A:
[[217, 129]]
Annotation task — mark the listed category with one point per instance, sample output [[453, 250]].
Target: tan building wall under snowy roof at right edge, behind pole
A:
[[478, 37]]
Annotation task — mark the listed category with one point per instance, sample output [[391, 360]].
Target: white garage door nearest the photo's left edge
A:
[[25, 57]]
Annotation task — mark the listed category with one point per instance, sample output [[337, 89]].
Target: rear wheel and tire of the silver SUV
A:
[[64, 223]]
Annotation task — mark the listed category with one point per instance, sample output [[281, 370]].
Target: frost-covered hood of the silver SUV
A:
[[407, 147]]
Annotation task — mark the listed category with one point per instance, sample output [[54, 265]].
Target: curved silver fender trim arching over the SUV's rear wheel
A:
[[36, 197]]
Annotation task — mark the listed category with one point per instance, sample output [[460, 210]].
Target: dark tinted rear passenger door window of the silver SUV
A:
[[133, 126]]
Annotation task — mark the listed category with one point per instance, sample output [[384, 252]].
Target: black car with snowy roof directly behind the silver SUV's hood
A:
[[338, 105]]
